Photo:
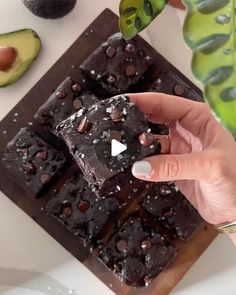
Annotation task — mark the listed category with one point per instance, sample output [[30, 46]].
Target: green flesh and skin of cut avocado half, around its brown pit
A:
[[27, 45]]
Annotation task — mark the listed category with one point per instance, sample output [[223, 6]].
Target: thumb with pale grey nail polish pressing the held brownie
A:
[[170, 167]]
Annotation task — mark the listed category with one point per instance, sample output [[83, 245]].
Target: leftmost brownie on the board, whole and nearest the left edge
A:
[[32, 161]]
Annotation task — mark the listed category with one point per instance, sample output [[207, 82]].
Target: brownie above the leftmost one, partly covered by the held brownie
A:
[[67, 99]]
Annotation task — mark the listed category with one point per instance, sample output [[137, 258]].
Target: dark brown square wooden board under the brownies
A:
[[69, 64]]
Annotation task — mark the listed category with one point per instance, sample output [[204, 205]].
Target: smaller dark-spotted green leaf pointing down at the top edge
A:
[[136, 15]]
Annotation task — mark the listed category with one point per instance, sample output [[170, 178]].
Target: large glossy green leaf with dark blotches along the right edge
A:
[[210, 31]]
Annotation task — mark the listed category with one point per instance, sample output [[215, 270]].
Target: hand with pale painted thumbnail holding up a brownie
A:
[[202, 157]]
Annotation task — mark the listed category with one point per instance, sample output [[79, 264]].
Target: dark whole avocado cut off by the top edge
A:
[[50, 8]]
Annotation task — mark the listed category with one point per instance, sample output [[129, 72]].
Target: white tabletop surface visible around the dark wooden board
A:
[[31, 262]]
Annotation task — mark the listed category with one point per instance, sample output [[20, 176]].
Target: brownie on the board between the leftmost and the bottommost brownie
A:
[[78, 208]]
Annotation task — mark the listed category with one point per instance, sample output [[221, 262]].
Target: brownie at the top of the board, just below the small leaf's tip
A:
[[117, 65]]
